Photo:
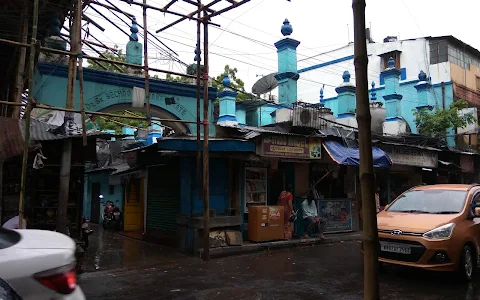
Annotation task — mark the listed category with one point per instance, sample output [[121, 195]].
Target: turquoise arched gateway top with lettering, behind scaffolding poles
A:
[[105, 89]]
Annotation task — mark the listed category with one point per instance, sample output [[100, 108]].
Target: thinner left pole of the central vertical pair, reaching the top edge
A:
[[199, 153]]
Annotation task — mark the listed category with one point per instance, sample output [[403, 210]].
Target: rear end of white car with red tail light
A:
[[39, 264]]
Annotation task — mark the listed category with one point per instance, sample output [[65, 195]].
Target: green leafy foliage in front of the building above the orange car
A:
[[436, 123]]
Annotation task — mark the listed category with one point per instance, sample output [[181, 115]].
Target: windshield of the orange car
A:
[[430, 202]]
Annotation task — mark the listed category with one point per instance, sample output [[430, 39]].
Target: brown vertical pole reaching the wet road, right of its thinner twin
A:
[[206, 181]]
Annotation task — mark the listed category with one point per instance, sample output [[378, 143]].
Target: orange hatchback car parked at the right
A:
[[433, 227]]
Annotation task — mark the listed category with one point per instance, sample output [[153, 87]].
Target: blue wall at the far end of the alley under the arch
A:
[[103, 179]]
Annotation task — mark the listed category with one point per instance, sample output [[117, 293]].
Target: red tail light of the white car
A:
[[62, 280]]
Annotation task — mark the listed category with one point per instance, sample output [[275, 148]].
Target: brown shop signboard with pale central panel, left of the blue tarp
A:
[[283, 146]]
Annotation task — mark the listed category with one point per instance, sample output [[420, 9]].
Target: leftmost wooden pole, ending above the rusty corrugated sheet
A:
[[21, 62]]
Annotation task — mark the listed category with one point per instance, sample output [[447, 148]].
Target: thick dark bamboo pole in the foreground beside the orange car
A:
[[364, 120]]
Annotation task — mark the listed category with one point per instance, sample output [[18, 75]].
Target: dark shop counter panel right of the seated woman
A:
[[337, 214]]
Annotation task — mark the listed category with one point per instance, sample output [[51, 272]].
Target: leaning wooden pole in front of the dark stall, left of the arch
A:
[[66, 160]]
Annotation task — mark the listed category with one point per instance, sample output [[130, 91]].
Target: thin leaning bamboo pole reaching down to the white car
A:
[[28, 110]]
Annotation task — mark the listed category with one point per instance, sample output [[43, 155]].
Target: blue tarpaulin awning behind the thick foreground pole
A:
[[351, 156]]
